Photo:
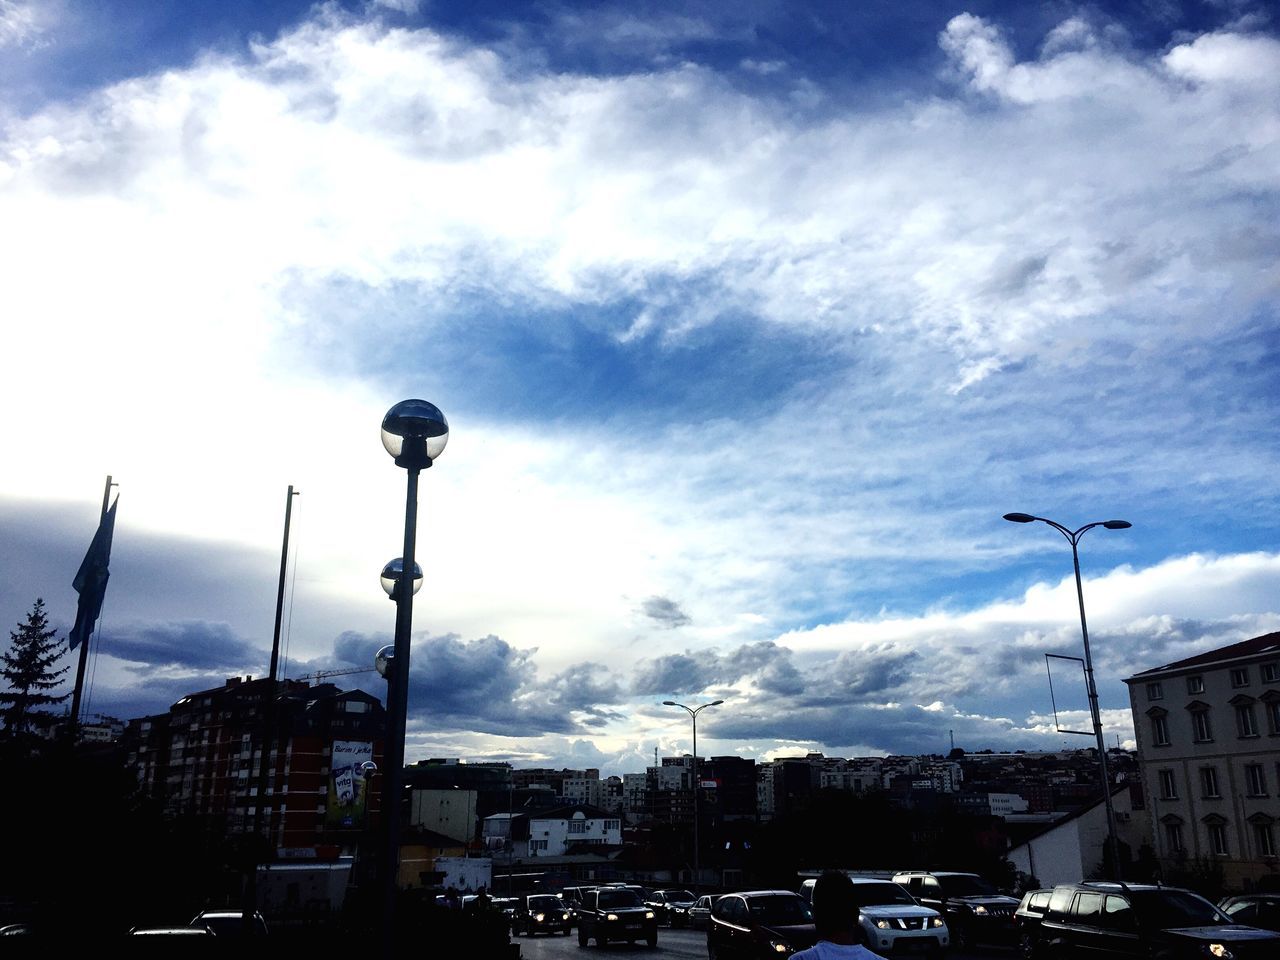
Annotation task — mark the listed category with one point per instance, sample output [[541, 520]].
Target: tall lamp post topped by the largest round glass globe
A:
[[414, 435]]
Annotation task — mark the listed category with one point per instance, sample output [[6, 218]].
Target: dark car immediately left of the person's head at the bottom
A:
[[760, 924]]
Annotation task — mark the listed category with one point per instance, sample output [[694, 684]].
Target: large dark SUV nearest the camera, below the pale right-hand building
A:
[[1141, 922]]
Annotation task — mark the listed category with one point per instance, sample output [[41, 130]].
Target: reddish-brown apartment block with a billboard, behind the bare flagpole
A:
[[204, 757]]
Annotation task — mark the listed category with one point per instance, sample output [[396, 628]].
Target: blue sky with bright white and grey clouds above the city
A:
[[749, 319]]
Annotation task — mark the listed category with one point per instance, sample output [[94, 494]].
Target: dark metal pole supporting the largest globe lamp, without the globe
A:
[[397, 710]]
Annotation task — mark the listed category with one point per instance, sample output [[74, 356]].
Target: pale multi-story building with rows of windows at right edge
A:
[[1208, 730]]
